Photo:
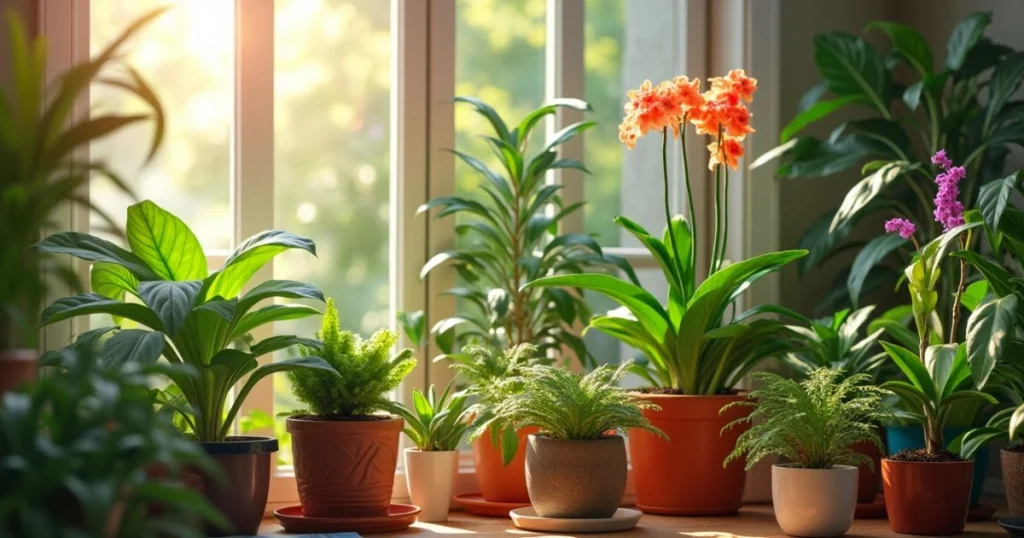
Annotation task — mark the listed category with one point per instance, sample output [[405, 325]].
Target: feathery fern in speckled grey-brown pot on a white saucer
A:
[[576, 464]]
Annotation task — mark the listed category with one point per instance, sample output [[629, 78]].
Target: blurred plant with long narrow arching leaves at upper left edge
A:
[[40, 139]]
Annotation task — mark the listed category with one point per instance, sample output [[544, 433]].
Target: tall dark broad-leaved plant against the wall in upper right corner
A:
[[964, 105]]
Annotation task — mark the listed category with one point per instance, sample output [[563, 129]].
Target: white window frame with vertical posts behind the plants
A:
[[423, 123]]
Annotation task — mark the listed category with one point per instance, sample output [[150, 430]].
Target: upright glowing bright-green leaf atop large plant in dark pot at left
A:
[[165, 243]]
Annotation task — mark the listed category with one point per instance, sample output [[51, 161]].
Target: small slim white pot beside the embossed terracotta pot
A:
[[431, 477]]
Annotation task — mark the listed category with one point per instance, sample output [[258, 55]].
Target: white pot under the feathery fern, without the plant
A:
[[815, 504]]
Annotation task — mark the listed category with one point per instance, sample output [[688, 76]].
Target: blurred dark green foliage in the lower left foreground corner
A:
[[87, 454]]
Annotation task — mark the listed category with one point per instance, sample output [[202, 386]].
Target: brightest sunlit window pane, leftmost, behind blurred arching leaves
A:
[[187, 56]]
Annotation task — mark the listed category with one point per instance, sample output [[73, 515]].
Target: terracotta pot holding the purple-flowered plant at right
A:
[[927, 499]]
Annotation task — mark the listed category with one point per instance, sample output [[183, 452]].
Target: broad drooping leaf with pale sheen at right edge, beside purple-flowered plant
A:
[[988, 329]]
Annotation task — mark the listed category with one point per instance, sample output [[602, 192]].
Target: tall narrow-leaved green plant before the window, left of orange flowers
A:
[[509, 236]]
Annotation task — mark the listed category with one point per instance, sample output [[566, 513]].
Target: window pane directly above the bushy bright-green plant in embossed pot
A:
[[332, 113]]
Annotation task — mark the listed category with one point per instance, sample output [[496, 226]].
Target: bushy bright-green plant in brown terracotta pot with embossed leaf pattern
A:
[[346, 452]]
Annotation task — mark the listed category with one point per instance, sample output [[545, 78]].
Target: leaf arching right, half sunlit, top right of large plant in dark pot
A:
[[250, 257]]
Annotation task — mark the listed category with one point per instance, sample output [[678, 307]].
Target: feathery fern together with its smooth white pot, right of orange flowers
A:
[[814, 425]]
